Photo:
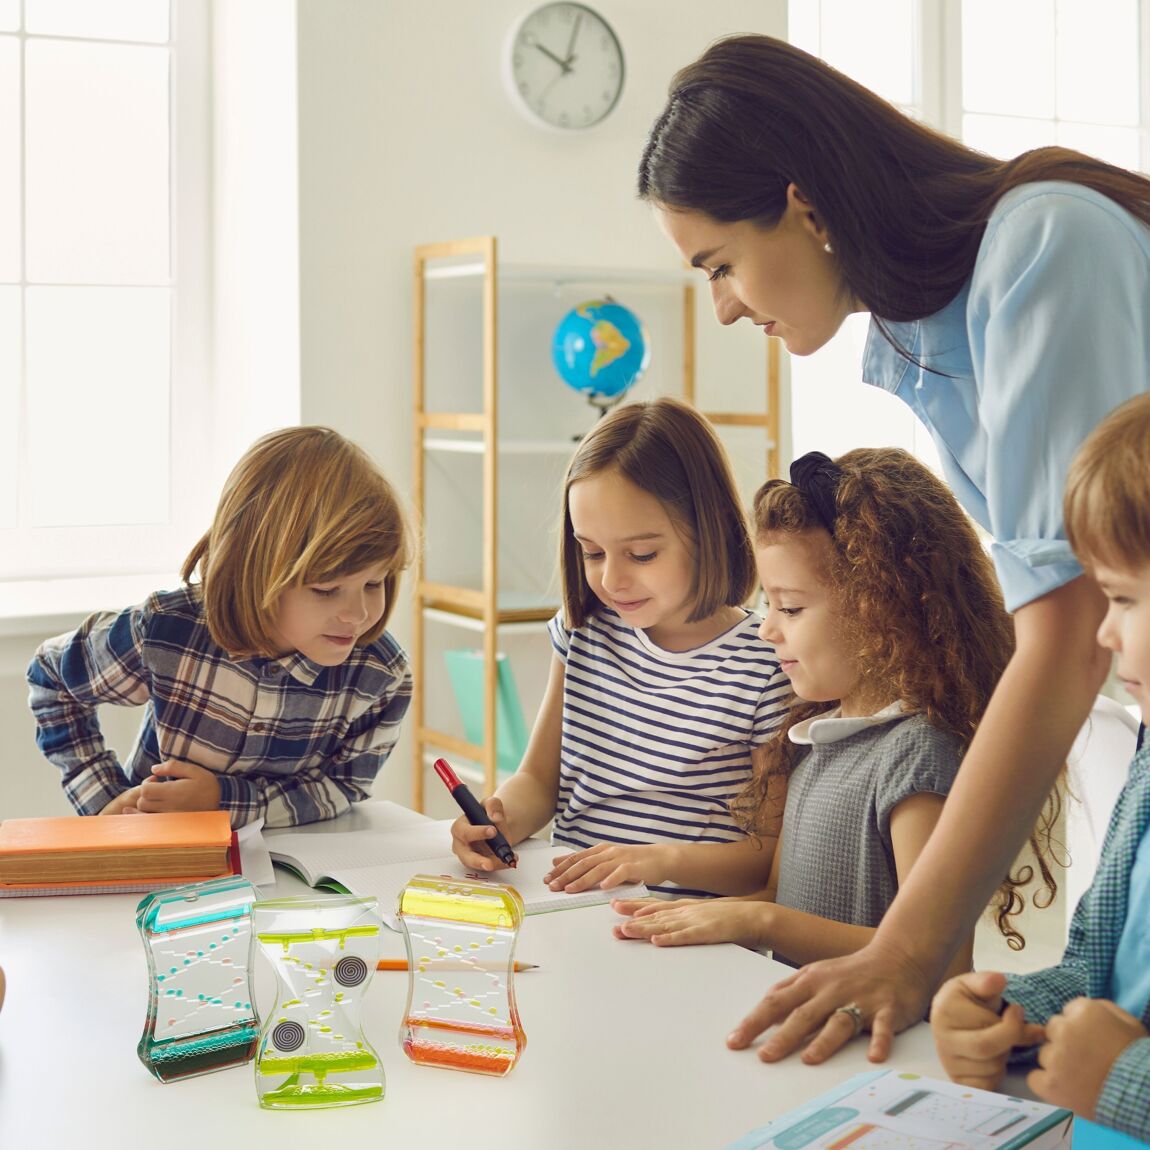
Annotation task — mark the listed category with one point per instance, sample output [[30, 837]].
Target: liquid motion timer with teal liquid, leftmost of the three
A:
[[200, 1011]]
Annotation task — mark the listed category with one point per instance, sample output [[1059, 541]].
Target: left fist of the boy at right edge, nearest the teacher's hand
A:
[[973, 1041]]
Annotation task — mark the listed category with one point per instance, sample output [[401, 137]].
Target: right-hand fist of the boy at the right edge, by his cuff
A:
[[1082, 1047]]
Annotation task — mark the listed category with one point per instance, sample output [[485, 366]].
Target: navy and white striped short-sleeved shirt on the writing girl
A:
[[657, 743]]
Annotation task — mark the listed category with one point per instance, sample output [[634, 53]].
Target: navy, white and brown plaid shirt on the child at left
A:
[[289, 740]]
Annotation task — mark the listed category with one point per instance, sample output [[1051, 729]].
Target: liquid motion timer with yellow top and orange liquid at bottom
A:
[[461, 939]]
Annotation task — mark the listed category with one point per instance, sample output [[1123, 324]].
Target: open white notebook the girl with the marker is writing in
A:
[[381, 864]]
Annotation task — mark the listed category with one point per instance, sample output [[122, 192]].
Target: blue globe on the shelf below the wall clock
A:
[[600, 350]]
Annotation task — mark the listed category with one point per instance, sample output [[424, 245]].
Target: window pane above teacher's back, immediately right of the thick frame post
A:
[[1009, 57]]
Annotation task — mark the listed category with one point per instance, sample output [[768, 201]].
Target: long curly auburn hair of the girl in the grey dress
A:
[[924, 615]]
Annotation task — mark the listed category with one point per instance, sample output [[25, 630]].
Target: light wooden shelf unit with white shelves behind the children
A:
[[479, 433]]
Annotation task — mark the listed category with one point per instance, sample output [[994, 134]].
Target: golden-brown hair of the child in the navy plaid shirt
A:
[[303, 507]]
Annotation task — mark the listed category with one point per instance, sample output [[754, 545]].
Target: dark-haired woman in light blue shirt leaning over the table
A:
[[1010, 309]]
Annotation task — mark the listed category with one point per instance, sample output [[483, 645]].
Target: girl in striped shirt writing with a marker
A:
[[661, 693]]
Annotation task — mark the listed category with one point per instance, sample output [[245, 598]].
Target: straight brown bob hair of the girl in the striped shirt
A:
[[668, 449]]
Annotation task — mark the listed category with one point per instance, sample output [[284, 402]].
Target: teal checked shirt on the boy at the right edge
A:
[[1086, 968]]
